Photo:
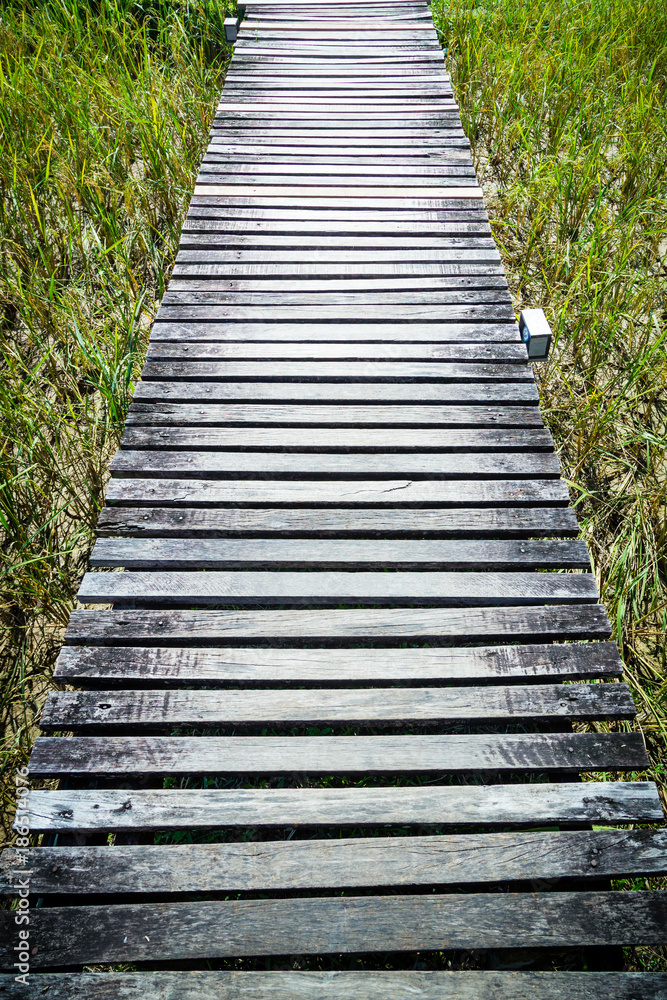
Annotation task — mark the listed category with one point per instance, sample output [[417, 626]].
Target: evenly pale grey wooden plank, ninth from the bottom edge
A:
[[448, 589]]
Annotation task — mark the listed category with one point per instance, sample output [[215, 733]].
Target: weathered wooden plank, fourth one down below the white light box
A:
[[323, 439]]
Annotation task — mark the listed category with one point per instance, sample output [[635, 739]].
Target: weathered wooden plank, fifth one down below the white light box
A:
[[160, 464]]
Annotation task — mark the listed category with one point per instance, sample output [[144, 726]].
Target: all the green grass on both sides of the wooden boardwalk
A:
[[103, 118]]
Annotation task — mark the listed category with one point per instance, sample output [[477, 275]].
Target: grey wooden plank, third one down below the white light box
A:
[[144, 412]]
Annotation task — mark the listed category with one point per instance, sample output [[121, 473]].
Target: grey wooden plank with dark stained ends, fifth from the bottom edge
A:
[[452, 754]]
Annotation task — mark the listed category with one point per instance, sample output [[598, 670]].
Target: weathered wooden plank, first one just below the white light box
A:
[[367, 370]]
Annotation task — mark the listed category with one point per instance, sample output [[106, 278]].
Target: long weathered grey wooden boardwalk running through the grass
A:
[[332, 711]]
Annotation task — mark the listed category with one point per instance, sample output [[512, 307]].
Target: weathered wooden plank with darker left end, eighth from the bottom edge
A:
[[389, 625]]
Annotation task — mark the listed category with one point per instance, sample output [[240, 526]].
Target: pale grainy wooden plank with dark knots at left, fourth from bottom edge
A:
[[543, 802]]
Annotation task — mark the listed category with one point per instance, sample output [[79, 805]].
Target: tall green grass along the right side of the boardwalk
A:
[[565, 103]]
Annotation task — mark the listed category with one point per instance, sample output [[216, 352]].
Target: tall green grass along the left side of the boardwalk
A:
[[104, 109]]
